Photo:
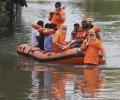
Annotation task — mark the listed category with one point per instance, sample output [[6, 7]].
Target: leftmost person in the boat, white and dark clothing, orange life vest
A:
[[38, 37]]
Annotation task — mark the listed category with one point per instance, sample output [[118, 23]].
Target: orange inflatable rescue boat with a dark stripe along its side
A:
[[70, 56]]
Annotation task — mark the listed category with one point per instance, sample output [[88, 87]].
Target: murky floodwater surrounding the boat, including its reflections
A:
[[26, 79]]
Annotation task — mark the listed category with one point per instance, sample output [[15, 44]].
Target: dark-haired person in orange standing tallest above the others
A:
[[58, 16]]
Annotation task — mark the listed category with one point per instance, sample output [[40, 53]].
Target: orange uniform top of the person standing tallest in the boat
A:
[[58, 18]]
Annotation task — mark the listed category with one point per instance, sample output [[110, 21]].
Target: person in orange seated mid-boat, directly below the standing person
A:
[[59, 39]]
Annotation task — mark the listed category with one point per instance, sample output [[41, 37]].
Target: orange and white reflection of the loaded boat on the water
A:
[[62, 82]]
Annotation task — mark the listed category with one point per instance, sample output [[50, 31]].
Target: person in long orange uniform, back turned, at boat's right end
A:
[[92, 46]]
